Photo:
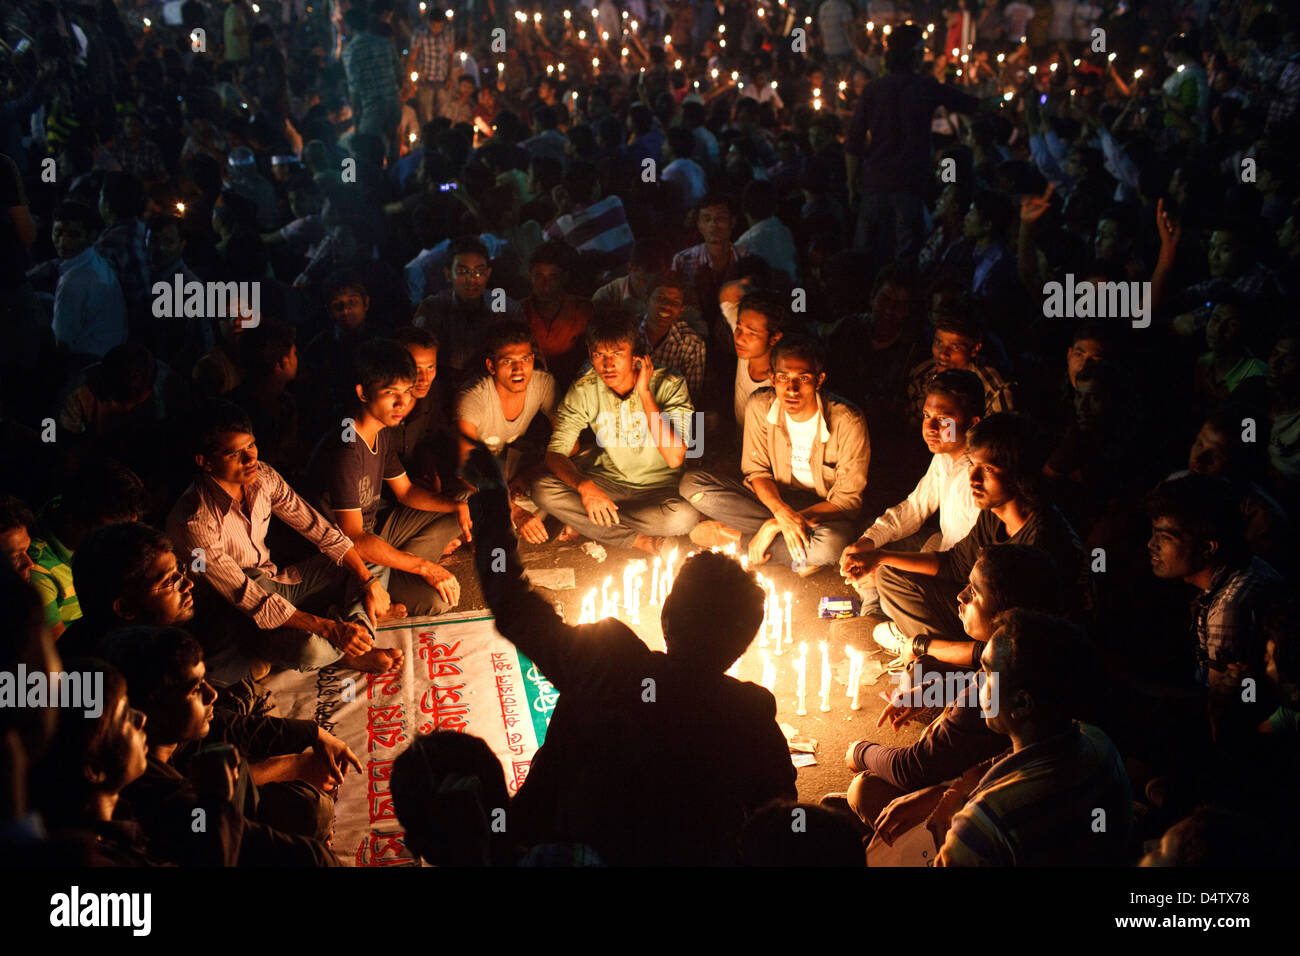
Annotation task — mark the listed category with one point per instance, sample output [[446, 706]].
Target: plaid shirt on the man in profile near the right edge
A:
[[1229, 615]]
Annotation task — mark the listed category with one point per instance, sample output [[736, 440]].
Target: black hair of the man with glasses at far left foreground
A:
[[112, 563]]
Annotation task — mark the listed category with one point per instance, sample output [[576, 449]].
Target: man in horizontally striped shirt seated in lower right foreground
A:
[[1039, 806]]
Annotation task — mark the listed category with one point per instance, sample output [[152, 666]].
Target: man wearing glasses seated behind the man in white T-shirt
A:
[[461, 315]]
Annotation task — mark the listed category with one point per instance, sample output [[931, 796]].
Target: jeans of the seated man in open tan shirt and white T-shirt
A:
[[739, 508]]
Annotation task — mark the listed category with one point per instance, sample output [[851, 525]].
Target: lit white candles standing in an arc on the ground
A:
[[775, 631]]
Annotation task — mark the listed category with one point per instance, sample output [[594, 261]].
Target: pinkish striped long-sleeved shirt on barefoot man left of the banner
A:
[[233, 538]]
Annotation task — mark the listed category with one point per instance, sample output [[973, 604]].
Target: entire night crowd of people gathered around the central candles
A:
[[978, 308]]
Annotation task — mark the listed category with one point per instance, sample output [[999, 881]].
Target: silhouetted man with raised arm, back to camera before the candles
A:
[[668, 782]]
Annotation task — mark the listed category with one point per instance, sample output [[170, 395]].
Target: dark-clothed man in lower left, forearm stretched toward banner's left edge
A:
[[285, 825]]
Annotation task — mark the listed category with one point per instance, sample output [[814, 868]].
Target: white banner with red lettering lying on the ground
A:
[[458, 674]]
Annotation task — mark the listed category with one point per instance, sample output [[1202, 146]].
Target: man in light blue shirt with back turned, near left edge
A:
[[90, 313]]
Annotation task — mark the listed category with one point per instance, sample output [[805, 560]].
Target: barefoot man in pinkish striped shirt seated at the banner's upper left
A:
[[222, 521]]
